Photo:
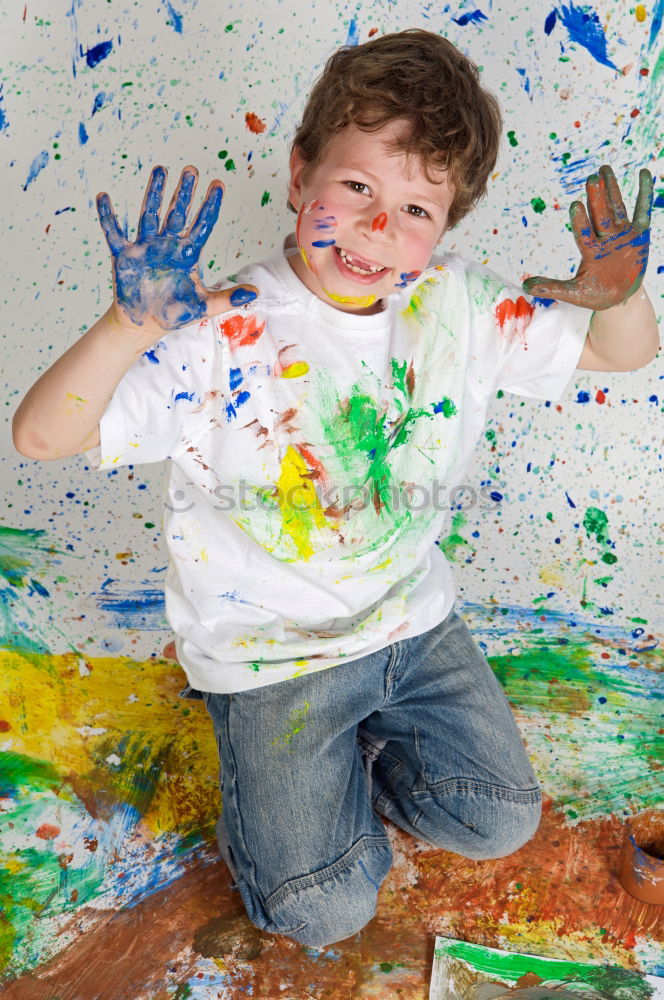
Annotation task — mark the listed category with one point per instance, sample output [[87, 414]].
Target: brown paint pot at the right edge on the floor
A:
[[642, 869]]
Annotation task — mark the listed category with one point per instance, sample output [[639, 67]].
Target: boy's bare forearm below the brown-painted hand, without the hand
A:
[[622, 338]]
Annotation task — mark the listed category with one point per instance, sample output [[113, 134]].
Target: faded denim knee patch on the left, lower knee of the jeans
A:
[[333, 903]]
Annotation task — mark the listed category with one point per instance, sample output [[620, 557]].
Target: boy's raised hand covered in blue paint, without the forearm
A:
[[157, 278]]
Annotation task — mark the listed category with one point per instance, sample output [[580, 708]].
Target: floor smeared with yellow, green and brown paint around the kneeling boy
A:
[[109, 877]]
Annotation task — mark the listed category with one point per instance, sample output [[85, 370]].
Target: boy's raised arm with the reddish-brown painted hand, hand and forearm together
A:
[[623, 332]]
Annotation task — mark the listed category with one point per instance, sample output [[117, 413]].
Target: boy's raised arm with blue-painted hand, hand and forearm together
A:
[[157, 290]]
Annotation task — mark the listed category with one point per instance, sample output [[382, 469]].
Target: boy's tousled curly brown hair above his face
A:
[[418, 76]]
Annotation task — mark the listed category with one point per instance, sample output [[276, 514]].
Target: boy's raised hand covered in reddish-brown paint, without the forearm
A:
[[614, 251]]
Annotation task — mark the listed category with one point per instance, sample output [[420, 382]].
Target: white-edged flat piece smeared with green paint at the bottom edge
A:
[[459, 968]]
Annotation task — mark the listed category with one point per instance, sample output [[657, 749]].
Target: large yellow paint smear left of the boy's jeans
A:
[[76, 722]]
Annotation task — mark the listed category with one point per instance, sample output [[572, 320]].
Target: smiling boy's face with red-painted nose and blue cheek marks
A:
[[368, 219]]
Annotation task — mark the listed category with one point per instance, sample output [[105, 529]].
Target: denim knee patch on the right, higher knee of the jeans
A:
[[478, 820]]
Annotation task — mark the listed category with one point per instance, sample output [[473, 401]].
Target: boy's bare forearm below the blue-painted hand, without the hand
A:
[[63, 408]]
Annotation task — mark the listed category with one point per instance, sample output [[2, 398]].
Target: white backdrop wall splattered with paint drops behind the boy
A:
[[93, 94]]
